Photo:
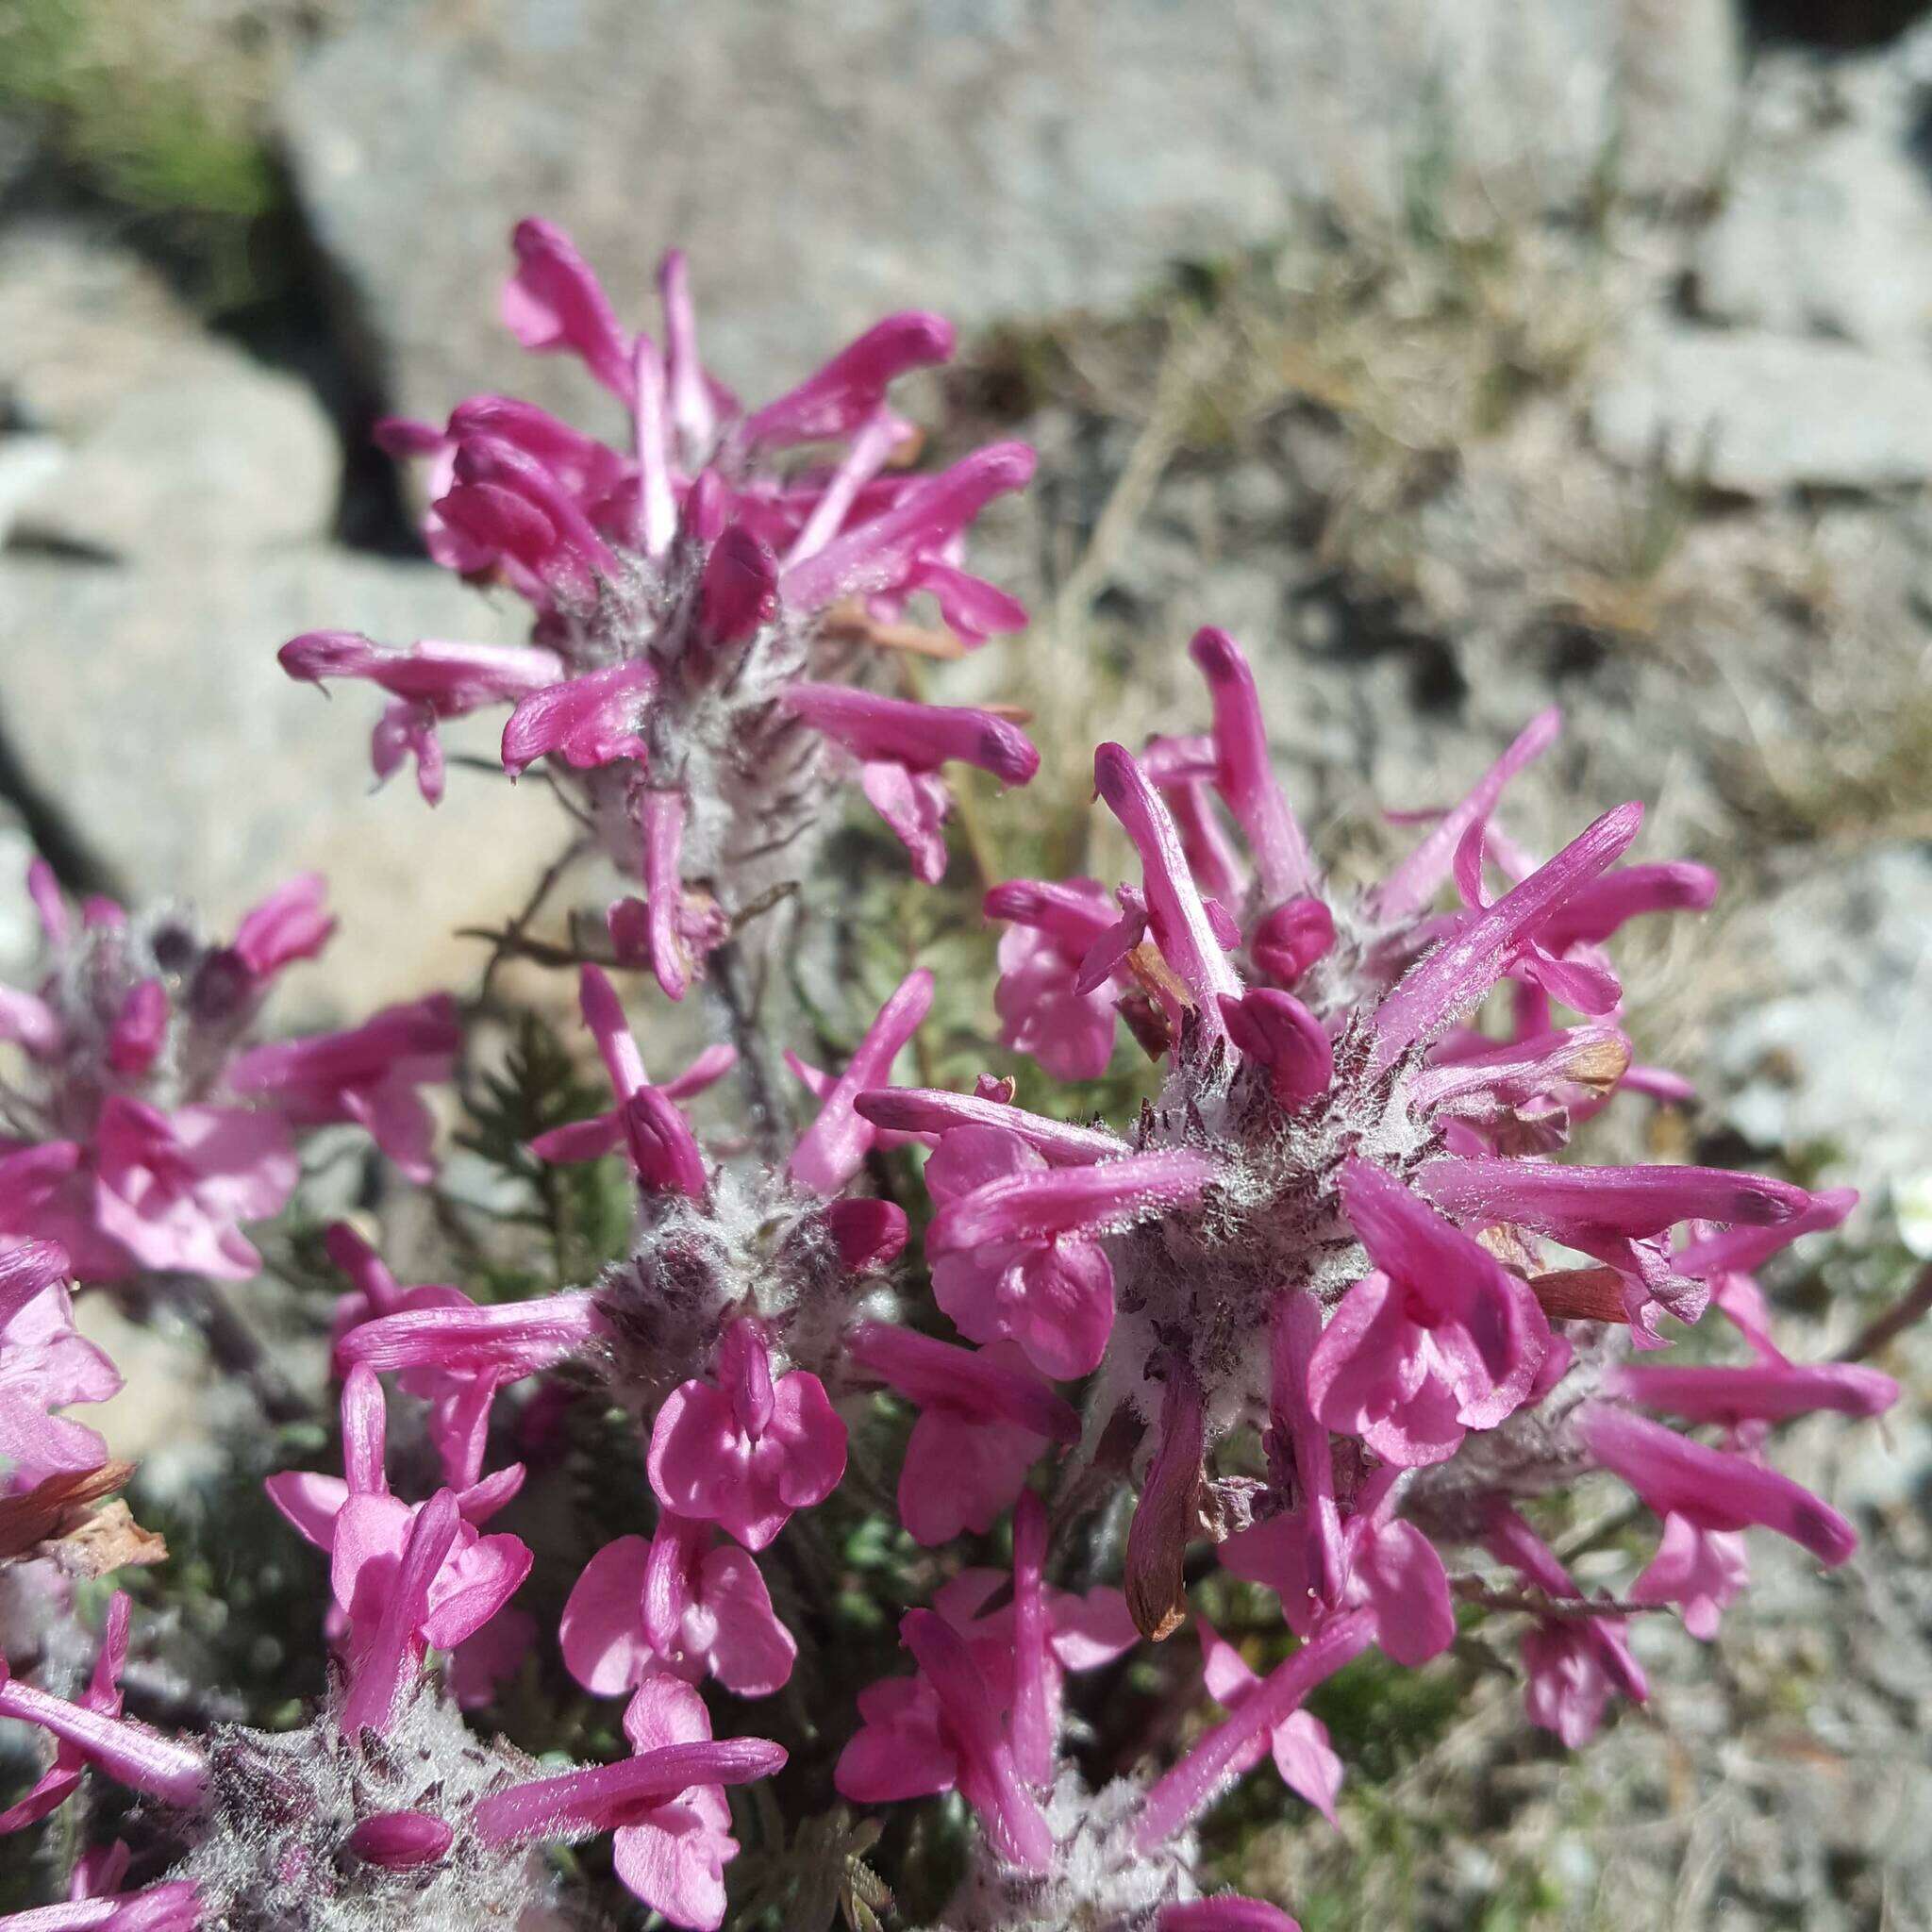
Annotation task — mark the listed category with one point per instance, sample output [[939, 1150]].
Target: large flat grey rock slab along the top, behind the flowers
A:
[[824, 165]]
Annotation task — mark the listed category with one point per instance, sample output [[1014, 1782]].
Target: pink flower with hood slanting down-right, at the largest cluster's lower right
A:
[[1707, 1498]]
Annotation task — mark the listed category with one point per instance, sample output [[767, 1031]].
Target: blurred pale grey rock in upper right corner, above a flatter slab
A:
[[1829, 221]]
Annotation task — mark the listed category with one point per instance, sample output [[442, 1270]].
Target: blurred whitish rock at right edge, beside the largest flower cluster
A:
[[1831, 1046]]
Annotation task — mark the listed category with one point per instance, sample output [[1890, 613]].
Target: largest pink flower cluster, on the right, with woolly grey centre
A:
[[1334, 1228]]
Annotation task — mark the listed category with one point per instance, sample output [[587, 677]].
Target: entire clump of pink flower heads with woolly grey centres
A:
[[1334, 1303]]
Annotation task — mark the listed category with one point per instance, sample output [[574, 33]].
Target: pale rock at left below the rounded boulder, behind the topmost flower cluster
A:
[[148, 706]]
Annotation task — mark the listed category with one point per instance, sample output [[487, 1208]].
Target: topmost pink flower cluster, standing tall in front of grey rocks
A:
[[700, 606]]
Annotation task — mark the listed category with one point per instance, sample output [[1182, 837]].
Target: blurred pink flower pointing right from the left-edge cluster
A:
[[368, 1075]]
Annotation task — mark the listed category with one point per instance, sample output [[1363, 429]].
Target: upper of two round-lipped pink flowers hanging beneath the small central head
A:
[[749, 1448]]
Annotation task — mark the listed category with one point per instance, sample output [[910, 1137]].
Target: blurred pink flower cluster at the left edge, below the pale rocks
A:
[[144, 1131]]
